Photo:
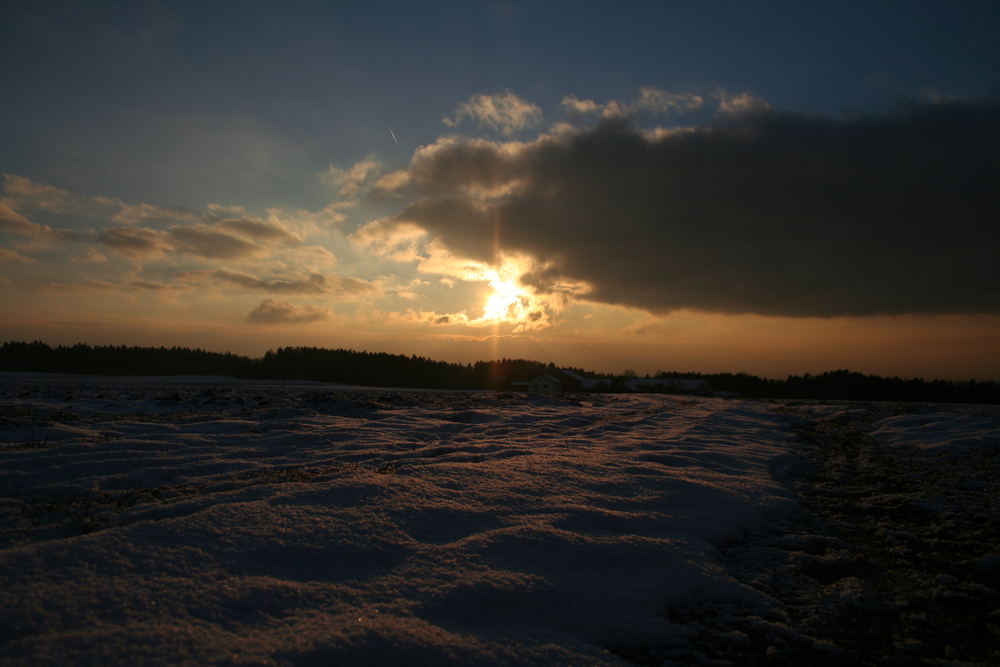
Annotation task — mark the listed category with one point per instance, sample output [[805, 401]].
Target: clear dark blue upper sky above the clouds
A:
[[120, 95]]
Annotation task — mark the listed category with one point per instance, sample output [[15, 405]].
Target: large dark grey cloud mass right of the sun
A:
[[772, 213]]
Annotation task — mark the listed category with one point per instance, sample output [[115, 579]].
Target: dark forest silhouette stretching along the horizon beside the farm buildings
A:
[[380, 369]]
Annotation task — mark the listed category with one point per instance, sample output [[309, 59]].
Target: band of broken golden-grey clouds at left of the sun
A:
[[236, 243]]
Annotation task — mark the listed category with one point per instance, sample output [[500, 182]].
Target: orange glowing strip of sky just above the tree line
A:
[[948, 347]]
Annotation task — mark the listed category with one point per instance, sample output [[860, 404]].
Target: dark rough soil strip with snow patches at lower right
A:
[[895, 562]]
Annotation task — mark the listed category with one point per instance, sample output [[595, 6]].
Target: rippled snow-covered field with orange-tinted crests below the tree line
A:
[[212, 521]]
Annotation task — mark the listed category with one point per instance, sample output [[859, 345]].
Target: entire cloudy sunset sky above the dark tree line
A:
[[772, 187]]
